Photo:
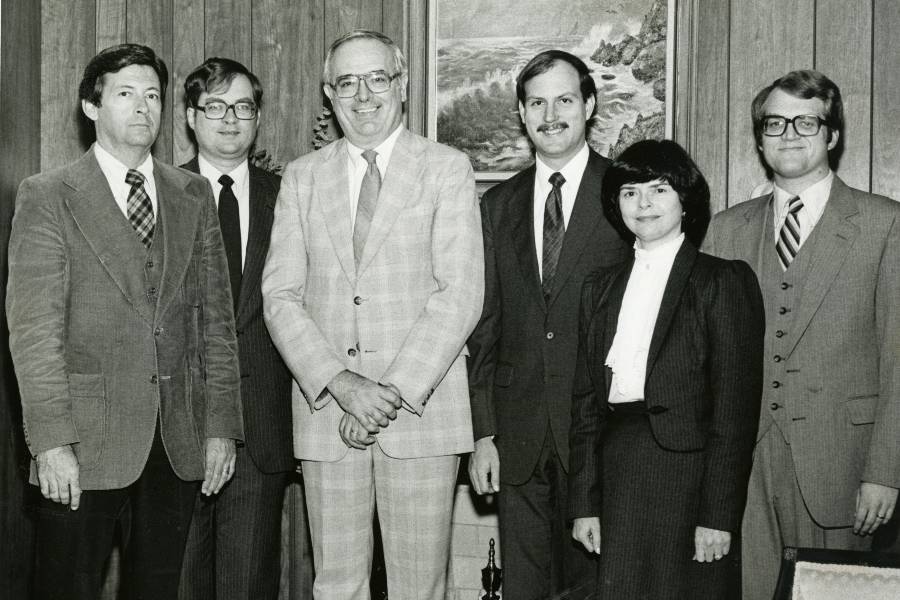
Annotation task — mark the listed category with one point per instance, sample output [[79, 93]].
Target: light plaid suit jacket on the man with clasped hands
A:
[[401, 317]]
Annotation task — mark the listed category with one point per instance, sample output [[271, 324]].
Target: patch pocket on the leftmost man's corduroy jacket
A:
[[89, 414]]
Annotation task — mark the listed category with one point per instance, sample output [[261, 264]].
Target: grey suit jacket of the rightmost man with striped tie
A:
[[840, 381]]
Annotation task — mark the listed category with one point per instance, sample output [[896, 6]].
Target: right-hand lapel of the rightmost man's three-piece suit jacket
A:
[[835, 234]]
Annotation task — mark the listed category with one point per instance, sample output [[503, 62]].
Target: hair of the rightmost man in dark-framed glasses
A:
[[805, 84]]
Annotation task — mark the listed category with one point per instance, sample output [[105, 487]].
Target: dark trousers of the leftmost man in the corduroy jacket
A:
[[153, 515]]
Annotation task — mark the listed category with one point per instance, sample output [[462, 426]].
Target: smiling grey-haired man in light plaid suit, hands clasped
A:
[[373, 282]]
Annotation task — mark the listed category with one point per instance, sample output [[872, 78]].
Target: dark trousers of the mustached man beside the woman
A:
[[538, 555]]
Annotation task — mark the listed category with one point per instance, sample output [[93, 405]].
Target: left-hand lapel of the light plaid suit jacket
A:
[[330, 184]]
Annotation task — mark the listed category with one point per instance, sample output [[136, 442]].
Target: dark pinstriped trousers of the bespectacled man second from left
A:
[[234, 545]]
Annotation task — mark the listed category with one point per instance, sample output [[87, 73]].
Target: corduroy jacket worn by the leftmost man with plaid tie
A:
[[100, 357]]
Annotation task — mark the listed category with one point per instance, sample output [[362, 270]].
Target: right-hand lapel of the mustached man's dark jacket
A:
[[582, 223]]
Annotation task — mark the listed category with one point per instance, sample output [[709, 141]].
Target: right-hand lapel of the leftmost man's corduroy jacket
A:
[[178, 215]]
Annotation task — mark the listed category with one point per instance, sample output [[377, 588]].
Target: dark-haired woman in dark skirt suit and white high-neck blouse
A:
[[667, 391]]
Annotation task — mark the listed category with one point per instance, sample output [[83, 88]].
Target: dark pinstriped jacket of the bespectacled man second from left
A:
[[265, 380]]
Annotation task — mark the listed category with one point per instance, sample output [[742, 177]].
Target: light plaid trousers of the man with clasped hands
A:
[[415, 502]]
